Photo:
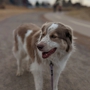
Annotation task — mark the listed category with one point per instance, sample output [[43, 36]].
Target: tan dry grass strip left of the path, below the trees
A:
[[14, 10]]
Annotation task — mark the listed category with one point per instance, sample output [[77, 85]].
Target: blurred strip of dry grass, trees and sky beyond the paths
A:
[[75, 8]]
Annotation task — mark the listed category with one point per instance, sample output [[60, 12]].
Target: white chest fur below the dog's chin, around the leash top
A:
[[58, 64]]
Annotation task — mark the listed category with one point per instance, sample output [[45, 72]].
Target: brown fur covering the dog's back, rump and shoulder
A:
[[31, 40]]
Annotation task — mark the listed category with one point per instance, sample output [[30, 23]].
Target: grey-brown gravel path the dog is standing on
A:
[[76, 75]]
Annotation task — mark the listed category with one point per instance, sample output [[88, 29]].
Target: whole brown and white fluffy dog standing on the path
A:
[[53, 42]]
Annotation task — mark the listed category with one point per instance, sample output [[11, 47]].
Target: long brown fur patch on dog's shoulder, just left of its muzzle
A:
[[31, 45]]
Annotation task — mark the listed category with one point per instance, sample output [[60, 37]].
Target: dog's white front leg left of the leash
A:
[[36, 70]]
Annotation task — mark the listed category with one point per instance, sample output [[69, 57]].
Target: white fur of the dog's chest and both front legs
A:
[[44, 67]]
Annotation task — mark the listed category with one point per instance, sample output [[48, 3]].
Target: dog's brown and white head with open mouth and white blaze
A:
[[54, 38]]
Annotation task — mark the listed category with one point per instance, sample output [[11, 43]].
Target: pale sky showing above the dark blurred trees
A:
[[84, 2]]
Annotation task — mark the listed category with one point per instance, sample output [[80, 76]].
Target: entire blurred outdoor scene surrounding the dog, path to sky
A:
[[75, 13]]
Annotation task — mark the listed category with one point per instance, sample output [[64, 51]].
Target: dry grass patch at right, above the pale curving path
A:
[[80, 13]]
